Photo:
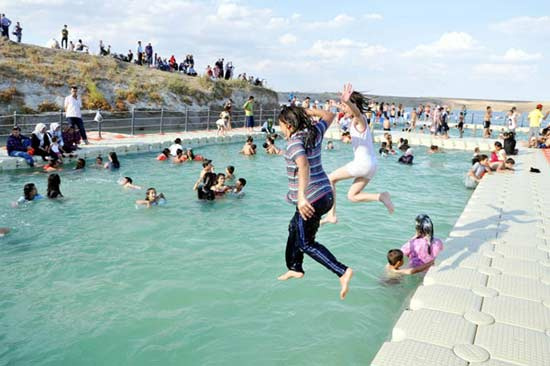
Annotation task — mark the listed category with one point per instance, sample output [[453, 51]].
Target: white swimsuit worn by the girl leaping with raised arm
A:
[[364, 162]]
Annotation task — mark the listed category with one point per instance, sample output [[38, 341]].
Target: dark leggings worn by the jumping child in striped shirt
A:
[[301, 239]]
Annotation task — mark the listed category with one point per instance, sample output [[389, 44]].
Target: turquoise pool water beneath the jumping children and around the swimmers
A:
[[92, 280]]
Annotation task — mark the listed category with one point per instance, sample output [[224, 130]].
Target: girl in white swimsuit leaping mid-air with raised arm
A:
[[363, 167]]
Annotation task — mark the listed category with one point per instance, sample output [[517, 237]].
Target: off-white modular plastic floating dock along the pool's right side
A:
[[487, 301]]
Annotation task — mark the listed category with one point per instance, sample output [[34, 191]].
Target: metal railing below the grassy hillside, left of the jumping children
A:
[[138, 121]]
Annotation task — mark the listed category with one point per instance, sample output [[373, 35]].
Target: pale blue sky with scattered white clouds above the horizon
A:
[[475, 49]]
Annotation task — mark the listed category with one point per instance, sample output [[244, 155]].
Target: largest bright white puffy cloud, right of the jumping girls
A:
[[448, 44]]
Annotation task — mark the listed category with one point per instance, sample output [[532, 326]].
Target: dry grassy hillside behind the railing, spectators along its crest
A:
[[36, 79]]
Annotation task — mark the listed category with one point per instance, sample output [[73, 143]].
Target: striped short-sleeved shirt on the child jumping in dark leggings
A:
[[319, 184]]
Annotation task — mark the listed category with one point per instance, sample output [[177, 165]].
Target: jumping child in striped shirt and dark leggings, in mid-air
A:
[[309, 190]]
